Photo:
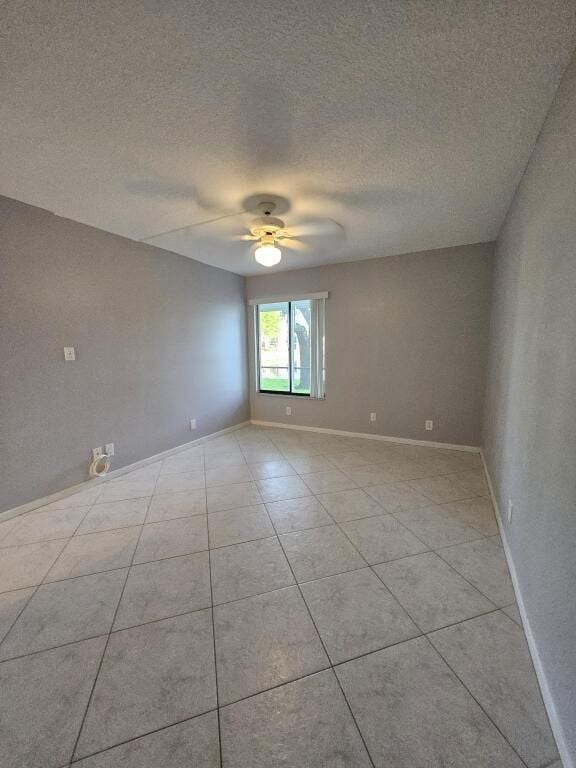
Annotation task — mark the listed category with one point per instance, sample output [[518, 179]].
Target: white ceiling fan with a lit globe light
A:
[[268, 232]]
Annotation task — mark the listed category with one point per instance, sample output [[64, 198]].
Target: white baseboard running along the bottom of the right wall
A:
[[557, 730]]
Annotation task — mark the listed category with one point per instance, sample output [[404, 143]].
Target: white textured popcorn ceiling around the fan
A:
[[407, 121]]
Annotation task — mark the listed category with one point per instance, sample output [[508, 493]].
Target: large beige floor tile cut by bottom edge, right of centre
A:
[[413, 711]]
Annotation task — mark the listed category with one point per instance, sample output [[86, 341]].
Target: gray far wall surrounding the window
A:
[[406, 336]]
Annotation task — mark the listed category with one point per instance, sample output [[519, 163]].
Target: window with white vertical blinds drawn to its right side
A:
[[290, 339]]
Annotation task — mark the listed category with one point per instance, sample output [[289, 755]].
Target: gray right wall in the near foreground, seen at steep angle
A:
[[530, 424]]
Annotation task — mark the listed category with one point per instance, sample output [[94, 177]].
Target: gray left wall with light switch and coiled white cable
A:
[[159, 339]]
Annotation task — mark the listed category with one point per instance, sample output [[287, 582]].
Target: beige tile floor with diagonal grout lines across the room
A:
[[270, 598]]
